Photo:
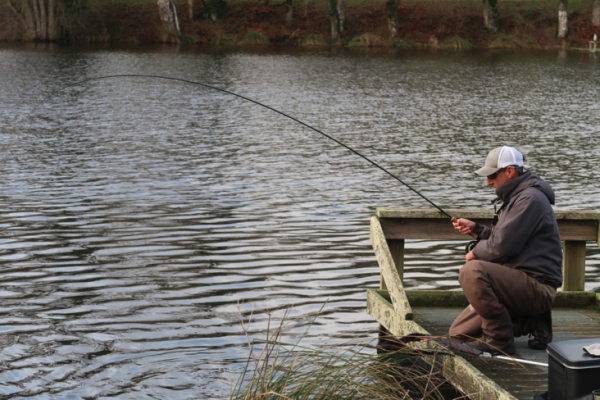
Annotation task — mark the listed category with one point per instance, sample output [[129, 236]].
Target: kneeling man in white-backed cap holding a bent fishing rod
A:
[[512, 273]]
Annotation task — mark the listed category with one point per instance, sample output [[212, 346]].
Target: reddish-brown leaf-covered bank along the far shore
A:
[[420, 24]]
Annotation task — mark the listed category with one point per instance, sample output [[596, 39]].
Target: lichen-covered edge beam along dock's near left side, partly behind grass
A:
[[460, 373]]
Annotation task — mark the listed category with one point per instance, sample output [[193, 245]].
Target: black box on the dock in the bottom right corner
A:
[[572, 373]]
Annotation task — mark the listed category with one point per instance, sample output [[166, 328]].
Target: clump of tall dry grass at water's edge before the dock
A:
[[279, 370]]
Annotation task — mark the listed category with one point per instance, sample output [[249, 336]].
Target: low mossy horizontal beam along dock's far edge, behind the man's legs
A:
[[455, 298]]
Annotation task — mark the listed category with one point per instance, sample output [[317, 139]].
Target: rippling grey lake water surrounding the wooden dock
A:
[[139, 217]]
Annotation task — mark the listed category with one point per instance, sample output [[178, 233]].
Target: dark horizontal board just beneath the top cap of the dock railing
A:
[[442, 229]]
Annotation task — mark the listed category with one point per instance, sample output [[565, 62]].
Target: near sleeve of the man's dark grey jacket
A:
[[510, 236]]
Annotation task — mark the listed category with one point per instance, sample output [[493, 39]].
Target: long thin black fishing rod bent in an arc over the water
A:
[[257, 103]]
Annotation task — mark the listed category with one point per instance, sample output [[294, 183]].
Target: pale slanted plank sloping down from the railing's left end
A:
[[388, 270]]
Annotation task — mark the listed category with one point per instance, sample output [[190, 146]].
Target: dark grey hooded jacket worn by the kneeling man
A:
[[526, 235]]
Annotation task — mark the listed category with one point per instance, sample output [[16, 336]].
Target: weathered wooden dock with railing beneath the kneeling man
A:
[[575, 312]]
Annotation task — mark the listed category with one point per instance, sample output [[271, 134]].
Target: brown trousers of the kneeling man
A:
[[501, 298]]
